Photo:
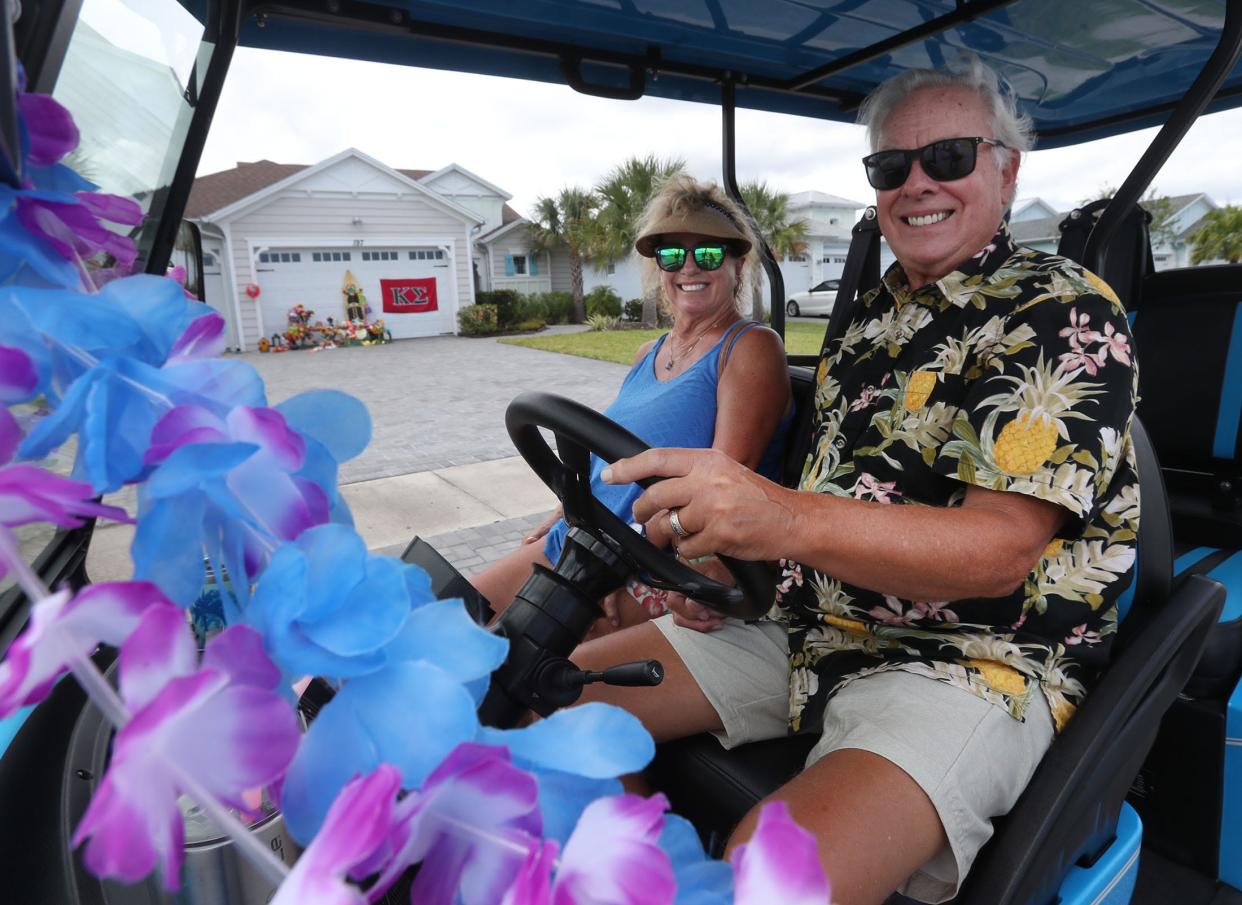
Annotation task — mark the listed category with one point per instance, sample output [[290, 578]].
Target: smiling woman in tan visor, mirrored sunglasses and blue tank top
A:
[[714, 380]]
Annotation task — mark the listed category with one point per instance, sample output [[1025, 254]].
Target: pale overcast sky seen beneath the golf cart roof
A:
[[531, 138]]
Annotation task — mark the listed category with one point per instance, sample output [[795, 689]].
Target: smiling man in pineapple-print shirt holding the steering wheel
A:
[[966, 521]]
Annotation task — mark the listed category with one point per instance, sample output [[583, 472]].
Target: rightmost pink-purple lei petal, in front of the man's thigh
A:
[[779, 863]]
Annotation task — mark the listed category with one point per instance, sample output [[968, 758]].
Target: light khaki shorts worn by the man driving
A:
[[971, 758]]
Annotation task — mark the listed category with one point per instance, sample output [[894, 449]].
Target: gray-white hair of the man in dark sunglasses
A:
[[1010, 127]]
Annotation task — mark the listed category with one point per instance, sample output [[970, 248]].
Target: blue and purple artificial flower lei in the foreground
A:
[[397, 769]]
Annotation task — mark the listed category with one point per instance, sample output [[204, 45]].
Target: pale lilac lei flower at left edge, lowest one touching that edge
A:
[[64, 628]]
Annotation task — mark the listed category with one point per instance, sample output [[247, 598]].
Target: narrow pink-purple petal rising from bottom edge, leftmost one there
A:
[[357, 825]]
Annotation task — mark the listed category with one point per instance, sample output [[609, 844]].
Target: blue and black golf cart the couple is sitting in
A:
[[1151, 763]]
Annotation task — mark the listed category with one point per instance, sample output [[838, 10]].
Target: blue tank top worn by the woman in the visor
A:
[[676, 413]]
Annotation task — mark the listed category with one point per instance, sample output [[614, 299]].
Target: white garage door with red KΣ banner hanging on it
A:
[[315, 277]]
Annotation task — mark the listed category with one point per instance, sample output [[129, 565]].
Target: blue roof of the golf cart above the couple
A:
[[1082, 70]]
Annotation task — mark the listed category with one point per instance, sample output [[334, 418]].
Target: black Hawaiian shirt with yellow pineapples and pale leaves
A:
[[1015, 373]]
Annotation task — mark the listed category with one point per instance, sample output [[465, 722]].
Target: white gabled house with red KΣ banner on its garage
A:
[[294, 232]]
